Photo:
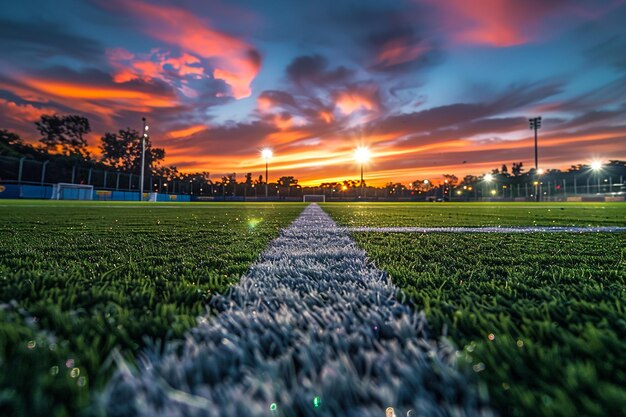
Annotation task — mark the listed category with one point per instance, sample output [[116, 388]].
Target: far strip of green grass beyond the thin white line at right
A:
[[478, 214]]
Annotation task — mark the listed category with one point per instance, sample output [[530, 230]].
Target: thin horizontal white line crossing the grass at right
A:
[[495, 229]]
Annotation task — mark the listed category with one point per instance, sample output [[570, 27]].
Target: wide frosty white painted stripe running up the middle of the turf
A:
[[313, 317]]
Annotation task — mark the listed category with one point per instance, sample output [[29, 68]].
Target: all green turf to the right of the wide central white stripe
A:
[[553, 303]]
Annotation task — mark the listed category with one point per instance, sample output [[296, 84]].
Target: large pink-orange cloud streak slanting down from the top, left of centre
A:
[[236, 62]]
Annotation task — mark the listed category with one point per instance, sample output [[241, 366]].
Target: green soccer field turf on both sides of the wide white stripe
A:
[[537, 317]]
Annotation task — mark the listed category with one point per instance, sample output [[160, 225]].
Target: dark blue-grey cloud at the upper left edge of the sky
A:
[[42, 39]]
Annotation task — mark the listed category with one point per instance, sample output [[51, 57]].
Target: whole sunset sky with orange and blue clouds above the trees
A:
[[430, 86]]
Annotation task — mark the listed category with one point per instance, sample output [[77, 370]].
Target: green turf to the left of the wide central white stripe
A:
[[80, 279]]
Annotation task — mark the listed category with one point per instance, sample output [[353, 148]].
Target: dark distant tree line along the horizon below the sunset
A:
[[63, 140]]
